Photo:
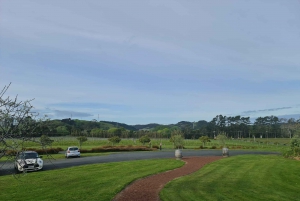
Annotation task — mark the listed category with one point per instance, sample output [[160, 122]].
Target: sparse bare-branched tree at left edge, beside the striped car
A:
[[17, 124]]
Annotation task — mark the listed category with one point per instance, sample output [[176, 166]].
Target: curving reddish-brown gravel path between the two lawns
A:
[[147, 189]]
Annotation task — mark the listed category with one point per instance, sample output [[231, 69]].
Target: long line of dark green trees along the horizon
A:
[[231, 126]]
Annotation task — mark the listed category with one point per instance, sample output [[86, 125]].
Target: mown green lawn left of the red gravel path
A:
[[88, 182]]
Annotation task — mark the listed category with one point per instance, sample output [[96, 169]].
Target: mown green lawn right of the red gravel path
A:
[[247, 177]]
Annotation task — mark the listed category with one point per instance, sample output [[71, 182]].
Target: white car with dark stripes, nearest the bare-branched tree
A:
[[29, 161]]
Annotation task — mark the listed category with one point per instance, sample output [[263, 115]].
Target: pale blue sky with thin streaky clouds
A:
[[164, 61]]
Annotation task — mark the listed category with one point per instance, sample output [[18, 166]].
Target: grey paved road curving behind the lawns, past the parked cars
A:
[[50, 164]]
